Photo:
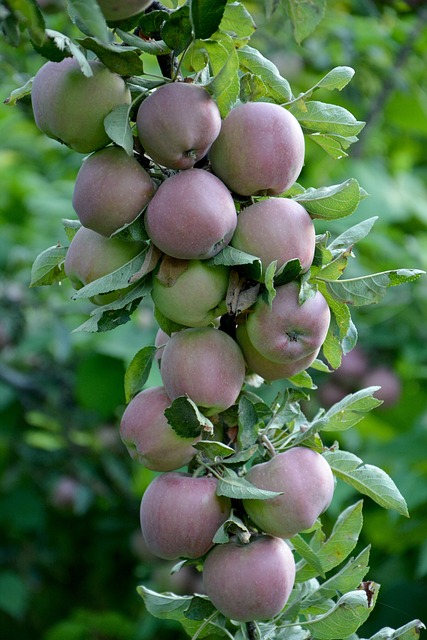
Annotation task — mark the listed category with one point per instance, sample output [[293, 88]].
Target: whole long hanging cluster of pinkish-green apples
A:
[[200, 183]]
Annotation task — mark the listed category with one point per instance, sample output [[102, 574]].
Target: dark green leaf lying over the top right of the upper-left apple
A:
[[119, 59]]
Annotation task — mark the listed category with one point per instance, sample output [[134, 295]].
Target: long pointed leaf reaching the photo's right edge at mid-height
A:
[[370, 289]]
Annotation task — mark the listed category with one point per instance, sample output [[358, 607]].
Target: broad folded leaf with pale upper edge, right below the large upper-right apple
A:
[[331, 203]]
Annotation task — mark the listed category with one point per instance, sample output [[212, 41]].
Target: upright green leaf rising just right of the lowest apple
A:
[[338, 546]]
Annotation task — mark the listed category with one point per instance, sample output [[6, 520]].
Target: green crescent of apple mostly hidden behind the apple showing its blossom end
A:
[[265, 368]]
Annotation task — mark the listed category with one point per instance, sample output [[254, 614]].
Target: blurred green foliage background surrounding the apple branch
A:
[[71, 554]]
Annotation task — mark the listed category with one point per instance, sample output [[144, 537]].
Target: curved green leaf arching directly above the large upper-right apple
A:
[[252, 61]]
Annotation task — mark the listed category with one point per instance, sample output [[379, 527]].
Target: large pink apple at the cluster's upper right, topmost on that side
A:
[[260, 149]]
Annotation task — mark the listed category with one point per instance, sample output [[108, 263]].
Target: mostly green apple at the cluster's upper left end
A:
[[70, 107]]
